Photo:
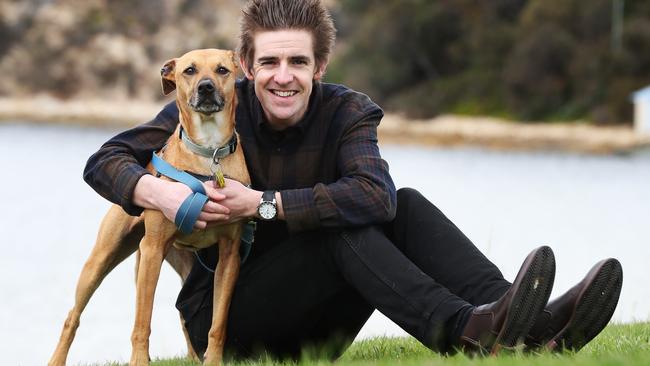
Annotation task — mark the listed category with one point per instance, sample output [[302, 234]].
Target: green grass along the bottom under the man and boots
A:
[[624, 344]]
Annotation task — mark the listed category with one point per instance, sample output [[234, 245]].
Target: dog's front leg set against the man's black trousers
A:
[[225, 277]]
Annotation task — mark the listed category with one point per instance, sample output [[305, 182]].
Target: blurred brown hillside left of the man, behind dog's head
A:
[[110, 49]]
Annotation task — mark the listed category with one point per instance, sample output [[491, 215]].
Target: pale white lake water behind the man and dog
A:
[[585, 207]]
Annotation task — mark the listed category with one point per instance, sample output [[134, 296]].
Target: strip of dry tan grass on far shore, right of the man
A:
[[448, 130]]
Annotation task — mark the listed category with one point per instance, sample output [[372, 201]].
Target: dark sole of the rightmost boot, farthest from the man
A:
[[593, 310]]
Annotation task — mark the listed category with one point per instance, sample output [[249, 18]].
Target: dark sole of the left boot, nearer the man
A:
[[529, 300]]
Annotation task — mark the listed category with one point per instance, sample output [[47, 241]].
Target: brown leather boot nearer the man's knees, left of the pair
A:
[[506, 322]]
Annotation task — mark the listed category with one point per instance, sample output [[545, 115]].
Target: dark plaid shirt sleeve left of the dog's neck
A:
[[116, 167]]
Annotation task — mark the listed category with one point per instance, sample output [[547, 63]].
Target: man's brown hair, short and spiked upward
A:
[[271, 15]]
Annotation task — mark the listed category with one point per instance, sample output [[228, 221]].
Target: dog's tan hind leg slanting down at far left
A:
[[118, 238]]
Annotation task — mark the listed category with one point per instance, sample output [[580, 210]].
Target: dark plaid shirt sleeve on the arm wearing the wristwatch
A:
[[365, 193]]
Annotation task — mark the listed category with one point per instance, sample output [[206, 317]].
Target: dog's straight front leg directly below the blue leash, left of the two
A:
[[153, 248]]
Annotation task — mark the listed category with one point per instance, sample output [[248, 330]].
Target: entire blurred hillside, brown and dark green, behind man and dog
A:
[[522, 60]]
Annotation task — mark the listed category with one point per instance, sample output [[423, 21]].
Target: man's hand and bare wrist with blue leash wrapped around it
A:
[[166, 196]]
